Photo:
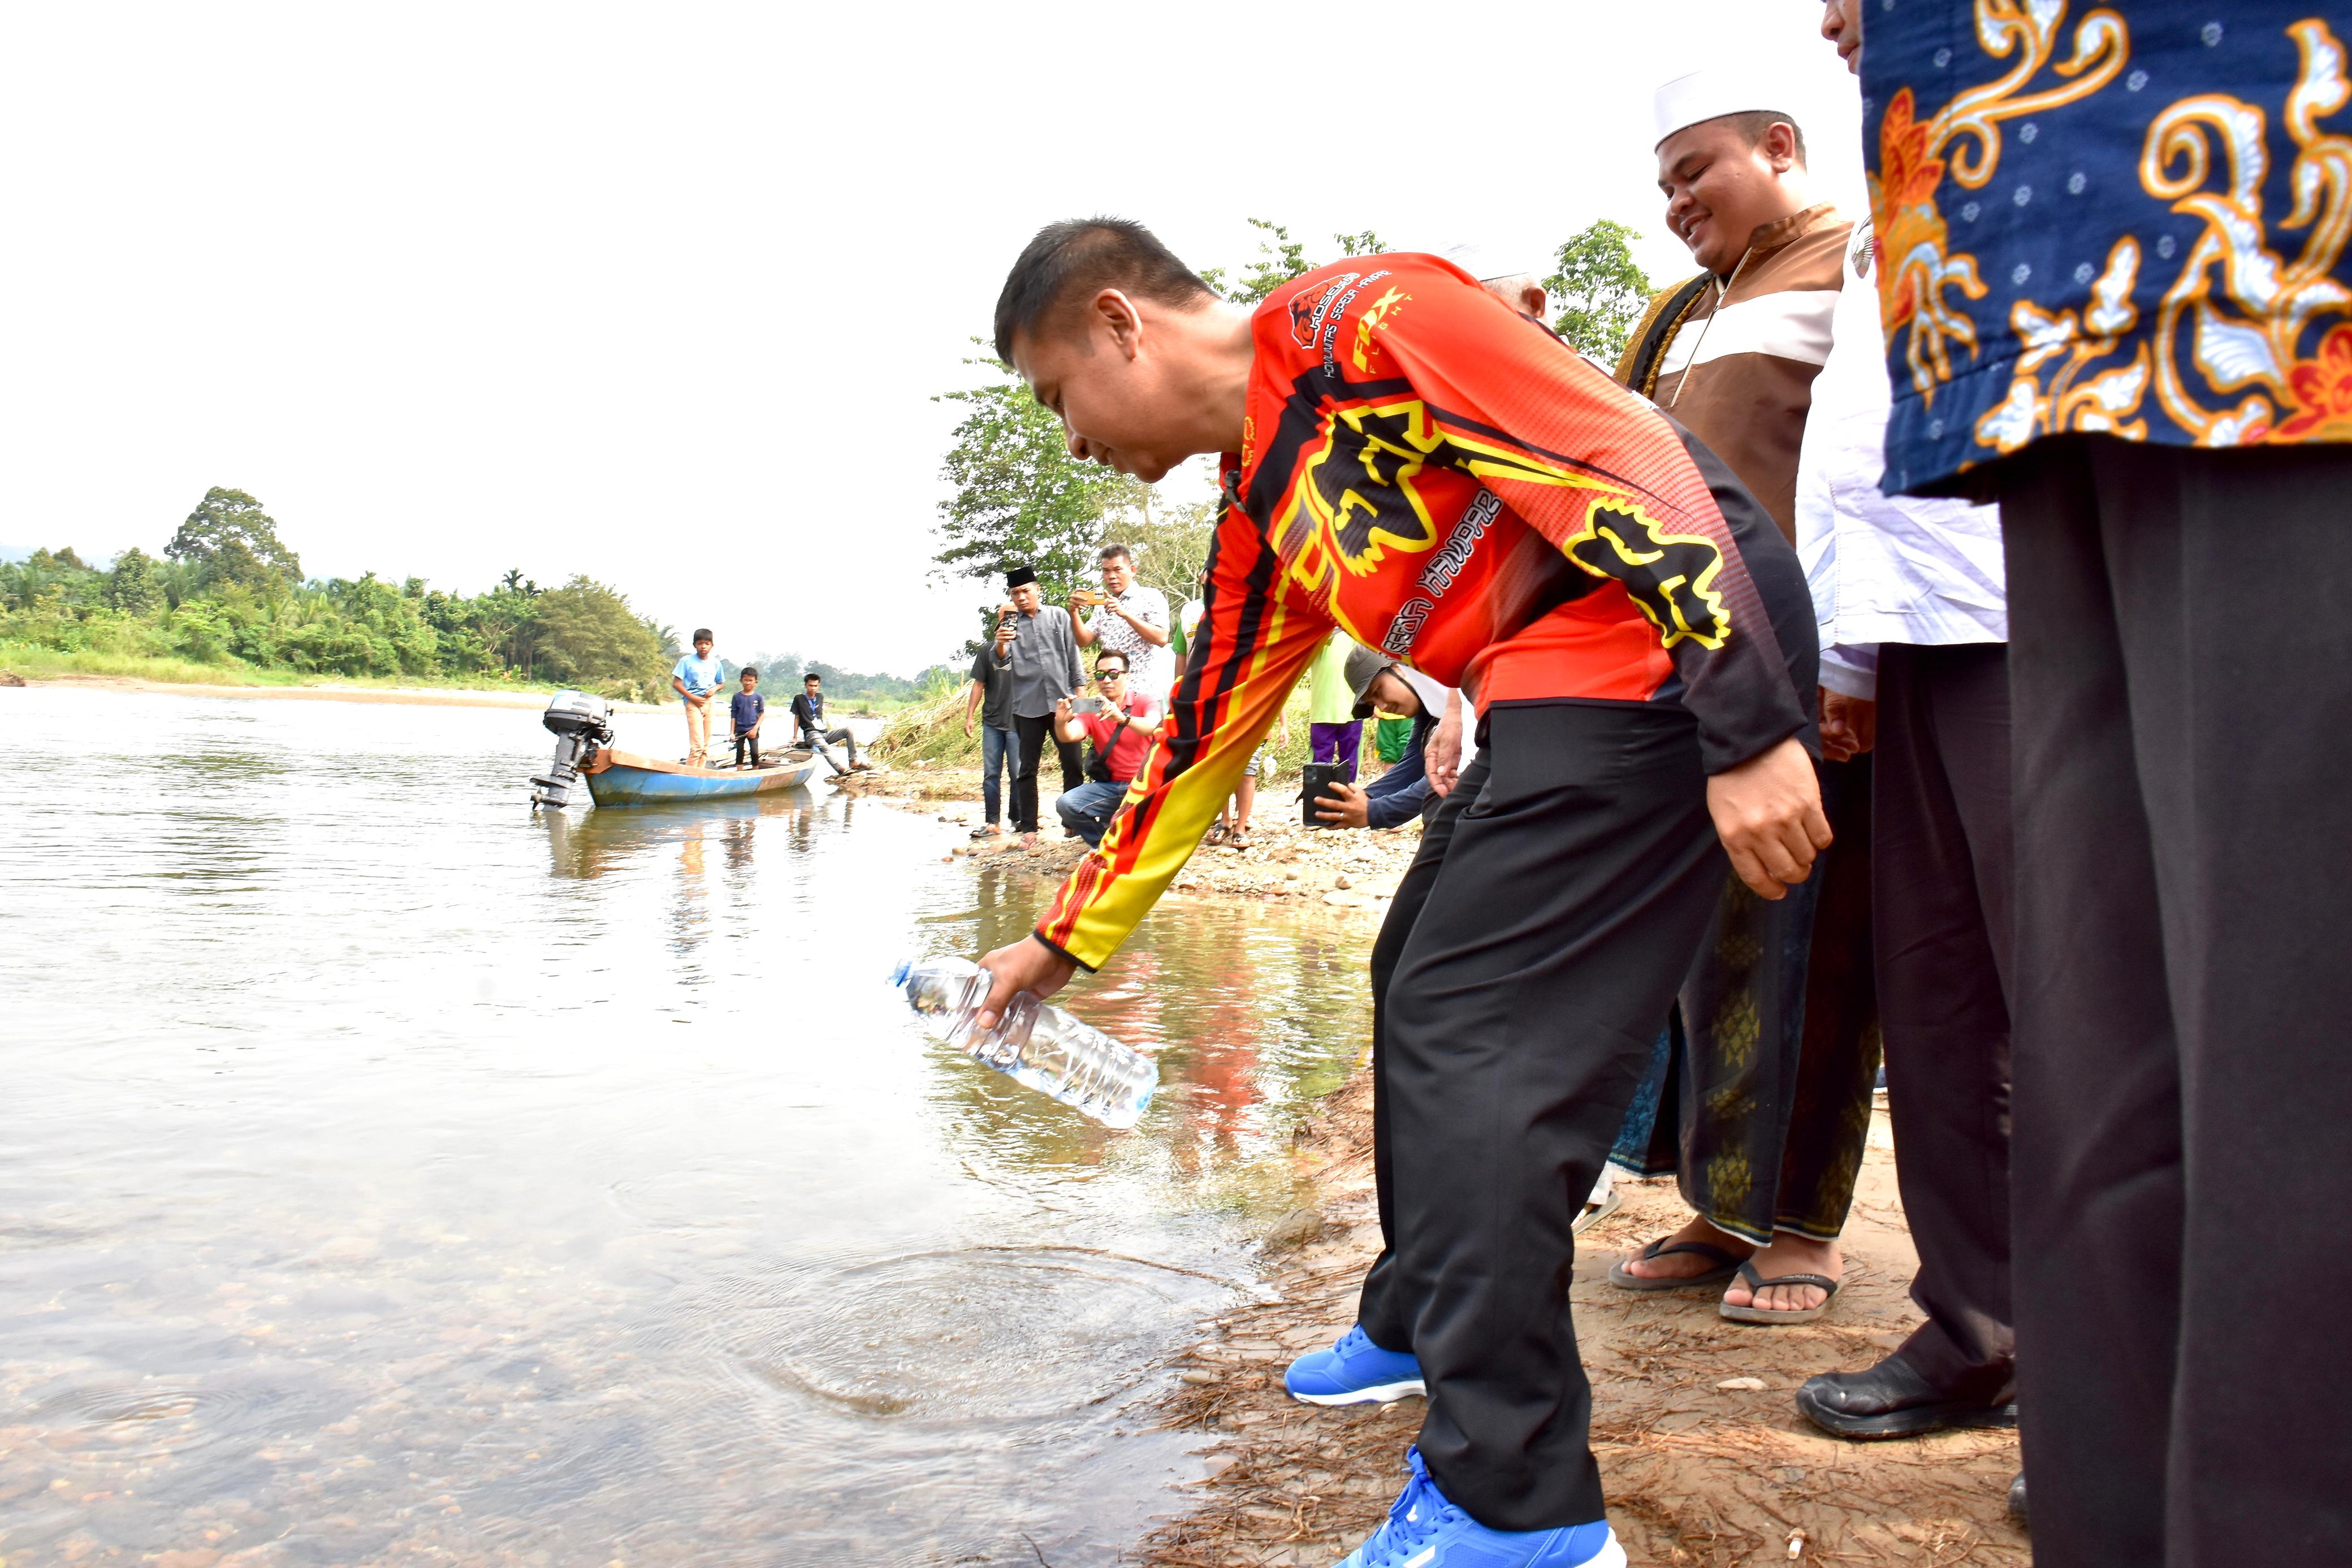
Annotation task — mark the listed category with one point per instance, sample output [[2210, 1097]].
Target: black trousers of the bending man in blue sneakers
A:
[[1516, 1024]]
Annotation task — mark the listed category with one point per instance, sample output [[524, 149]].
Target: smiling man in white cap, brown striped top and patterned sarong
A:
[[1770, 1104]]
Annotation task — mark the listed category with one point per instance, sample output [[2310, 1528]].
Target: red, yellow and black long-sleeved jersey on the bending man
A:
[[1450, 483]]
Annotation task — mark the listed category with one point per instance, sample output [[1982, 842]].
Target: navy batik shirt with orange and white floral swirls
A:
[[2123, 220]]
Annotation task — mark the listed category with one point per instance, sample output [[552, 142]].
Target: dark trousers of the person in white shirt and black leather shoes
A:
[[1942, 883]]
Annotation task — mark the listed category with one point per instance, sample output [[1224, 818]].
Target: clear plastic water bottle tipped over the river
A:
[[1034, 1045]]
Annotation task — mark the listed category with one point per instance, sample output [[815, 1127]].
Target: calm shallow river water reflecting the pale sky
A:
[[394, 1177]]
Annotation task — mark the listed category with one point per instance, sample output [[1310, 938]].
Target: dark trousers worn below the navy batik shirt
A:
[[2181, 666]]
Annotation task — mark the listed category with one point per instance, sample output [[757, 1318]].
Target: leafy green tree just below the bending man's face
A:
[[1020, 500]]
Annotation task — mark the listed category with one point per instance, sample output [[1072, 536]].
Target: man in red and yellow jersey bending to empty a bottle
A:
[[1408, 460]]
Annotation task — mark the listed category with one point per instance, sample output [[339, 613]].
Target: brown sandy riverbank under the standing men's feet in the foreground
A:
[[1704, 1456]]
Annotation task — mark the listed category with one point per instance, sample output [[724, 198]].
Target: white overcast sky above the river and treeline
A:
[[662, 295]]
